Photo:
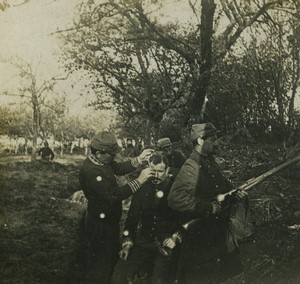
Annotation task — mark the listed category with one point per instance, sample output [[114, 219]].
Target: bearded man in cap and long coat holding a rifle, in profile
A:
[[209, 251]]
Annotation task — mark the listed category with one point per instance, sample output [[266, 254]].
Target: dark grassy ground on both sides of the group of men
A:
[[41, 226]]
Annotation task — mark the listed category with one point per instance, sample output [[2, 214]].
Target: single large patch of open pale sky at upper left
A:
[[26, 32]]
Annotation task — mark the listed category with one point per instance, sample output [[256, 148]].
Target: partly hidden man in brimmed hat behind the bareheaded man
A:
[[175, 156]]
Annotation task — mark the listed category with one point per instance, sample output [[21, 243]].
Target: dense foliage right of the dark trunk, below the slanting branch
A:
[[255, 87]]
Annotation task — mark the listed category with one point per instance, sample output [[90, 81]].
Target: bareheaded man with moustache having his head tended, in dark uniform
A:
[[153, 245]]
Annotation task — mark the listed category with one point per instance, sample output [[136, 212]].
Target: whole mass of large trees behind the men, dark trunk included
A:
[[233, 62]]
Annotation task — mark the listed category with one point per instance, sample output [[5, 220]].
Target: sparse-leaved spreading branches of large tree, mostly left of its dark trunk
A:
[[146, 67]]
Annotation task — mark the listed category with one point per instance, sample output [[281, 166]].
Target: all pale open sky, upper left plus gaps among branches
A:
[[26, 31]]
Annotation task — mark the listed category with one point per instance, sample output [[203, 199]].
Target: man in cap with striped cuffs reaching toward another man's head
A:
[[98, 181]]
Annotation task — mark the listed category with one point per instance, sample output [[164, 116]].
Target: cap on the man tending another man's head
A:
[[106, 142]]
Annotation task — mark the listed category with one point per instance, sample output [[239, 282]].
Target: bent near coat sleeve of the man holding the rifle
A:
[[182, 194]]
